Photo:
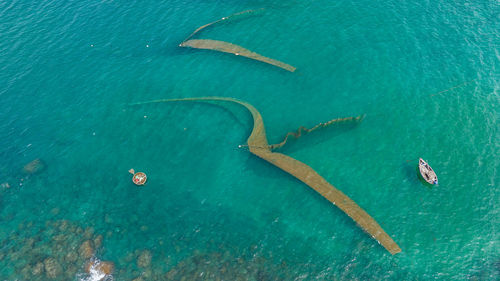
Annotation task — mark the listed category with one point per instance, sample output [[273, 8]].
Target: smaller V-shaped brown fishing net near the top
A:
[[227, 47]]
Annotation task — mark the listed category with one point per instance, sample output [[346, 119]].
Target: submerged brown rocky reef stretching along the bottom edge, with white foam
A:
[[64, 250]]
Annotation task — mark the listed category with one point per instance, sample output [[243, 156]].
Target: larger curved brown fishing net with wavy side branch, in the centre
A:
[[258, 145]]
